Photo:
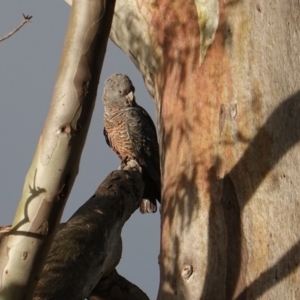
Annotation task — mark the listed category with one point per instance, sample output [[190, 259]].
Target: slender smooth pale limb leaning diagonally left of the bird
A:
[[55, 164]]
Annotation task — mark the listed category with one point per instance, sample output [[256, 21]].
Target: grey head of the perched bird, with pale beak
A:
[[118, 92]]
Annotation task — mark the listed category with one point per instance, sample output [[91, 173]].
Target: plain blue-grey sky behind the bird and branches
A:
[[28, 67]]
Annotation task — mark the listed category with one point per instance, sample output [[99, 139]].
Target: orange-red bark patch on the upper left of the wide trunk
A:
[[191, 94]]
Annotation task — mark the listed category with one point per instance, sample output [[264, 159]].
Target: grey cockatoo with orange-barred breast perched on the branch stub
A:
[[131, 133]]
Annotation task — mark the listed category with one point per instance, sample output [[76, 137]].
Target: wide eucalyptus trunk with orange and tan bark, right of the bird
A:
[[226, 82]]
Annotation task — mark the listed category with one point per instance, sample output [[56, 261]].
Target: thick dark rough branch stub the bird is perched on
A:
[[88, 247]]
